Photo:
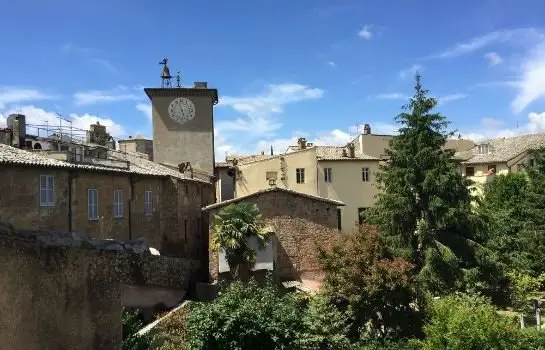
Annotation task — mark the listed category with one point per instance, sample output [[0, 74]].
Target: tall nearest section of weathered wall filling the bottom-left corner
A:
[[57, 298]]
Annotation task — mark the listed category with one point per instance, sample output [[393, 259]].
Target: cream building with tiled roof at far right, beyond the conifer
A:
[[499, 156]]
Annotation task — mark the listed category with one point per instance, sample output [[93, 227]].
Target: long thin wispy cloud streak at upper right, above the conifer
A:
[[516, 36]]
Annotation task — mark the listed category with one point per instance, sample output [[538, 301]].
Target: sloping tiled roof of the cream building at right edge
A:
[[502, 149]]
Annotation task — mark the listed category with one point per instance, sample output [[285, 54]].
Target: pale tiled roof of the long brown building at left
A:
[[137, 165]]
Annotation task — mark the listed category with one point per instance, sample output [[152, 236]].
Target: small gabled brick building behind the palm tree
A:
[[301, 224]]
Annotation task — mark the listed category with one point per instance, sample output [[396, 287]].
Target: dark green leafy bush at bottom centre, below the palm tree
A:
[[246, 316]]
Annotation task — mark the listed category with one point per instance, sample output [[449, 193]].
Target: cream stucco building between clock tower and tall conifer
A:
[[347, 174]]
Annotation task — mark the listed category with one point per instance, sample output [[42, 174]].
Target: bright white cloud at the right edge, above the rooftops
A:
[[532, 79]]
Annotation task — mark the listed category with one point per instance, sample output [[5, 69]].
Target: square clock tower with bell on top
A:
[[183, 126]]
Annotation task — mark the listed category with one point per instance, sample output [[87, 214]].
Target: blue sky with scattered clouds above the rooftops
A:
[[284, 69]]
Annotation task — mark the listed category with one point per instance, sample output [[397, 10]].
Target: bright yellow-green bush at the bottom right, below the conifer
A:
[[461, 322]]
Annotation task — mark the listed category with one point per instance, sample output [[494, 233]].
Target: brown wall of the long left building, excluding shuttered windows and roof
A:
[[176, 226]]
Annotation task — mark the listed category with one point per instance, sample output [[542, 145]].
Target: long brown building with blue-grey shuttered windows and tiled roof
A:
[[122, 197]]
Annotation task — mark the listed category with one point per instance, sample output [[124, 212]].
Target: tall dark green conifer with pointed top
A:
[[424, 208]]
